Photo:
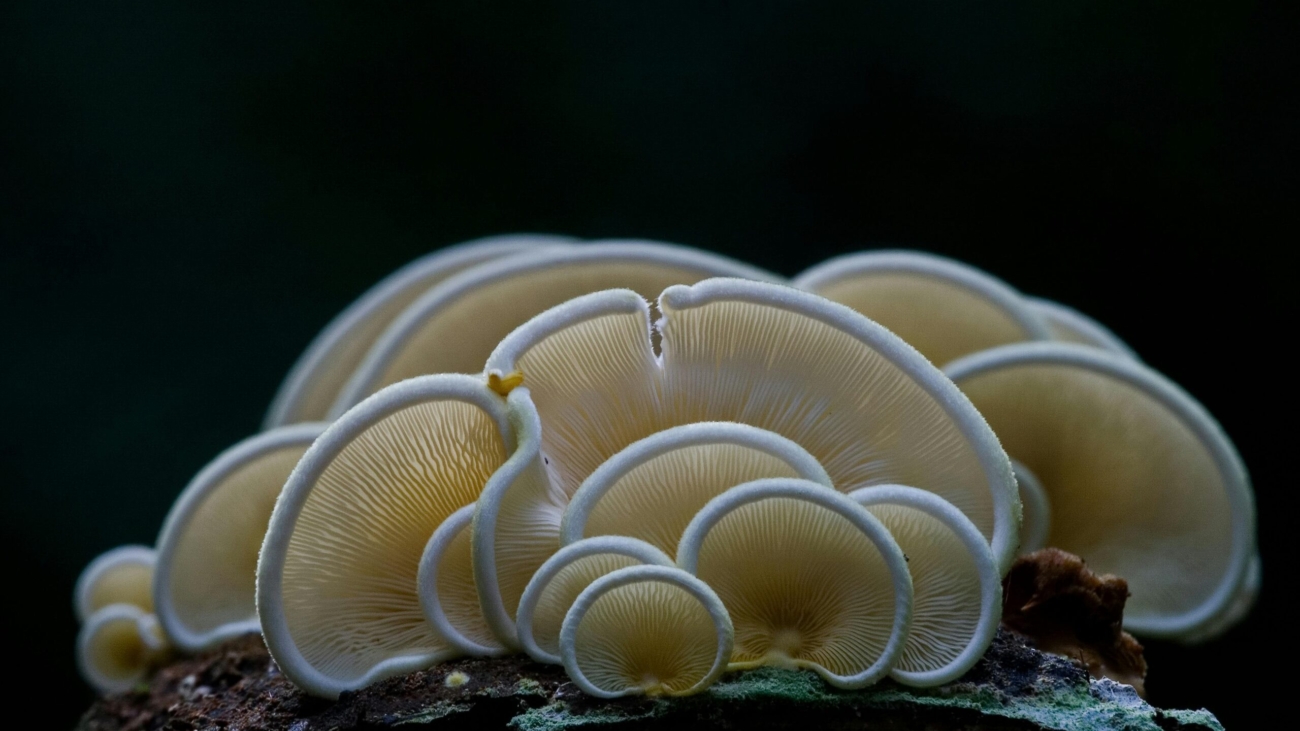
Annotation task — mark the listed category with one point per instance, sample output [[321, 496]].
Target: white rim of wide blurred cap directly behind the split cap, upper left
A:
[[440, 300]]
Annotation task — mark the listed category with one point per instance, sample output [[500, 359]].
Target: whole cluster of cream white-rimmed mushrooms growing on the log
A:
[[653, 465]]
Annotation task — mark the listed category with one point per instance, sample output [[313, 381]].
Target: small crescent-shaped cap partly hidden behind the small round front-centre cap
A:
[[557, 585]]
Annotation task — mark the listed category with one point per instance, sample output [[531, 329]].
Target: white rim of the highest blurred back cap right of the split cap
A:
[[934, 267]]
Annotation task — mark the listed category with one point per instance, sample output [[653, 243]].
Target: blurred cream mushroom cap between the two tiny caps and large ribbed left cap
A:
[[205, 583]]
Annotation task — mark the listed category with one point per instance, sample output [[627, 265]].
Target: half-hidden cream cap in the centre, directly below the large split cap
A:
[[655, 487]]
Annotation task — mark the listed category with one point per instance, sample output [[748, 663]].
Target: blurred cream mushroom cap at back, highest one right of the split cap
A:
[[943, 308]]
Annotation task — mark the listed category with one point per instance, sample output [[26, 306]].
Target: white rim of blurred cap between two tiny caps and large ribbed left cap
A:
[[181, 517]]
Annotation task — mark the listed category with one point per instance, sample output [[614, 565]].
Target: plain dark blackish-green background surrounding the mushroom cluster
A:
[[190, 194]]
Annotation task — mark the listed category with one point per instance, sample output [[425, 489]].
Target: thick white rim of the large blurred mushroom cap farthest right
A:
[[1194, 417]]
